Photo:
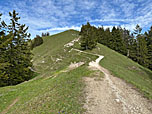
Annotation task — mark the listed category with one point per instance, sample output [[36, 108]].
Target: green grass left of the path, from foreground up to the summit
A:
[[52, 91]]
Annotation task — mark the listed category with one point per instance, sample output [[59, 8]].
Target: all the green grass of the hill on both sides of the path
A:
[[56, 89]]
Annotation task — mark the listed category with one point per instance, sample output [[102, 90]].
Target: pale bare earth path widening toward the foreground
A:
[[112, 95]]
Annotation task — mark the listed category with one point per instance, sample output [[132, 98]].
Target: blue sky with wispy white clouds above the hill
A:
[[58, 15]]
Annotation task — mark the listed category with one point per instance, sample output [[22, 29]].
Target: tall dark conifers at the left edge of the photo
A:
[[15, 52]]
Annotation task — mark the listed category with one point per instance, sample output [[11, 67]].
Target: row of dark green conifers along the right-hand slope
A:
[[134, 45]]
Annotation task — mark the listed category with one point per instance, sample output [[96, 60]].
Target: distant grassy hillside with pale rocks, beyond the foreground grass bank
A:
[[52, 55]]
